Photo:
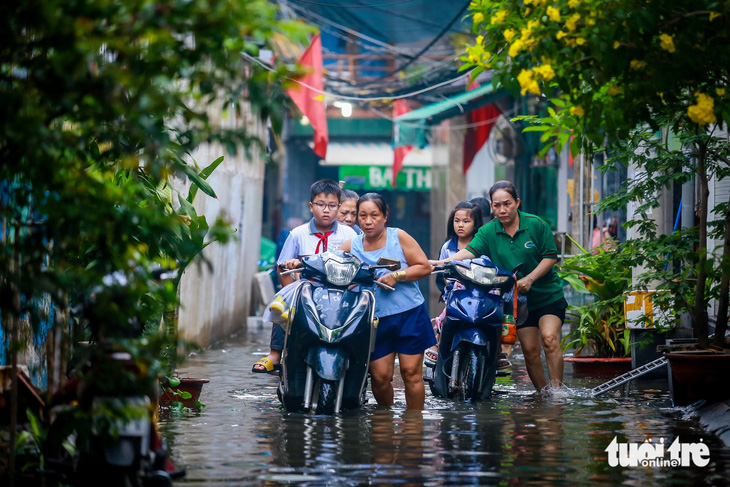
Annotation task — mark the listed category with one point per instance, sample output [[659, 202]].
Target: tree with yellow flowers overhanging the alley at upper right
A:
[[612, 66]]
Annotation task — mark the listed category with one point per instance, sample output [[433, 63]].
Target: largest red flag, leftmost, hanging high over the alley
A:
[[308, 95]]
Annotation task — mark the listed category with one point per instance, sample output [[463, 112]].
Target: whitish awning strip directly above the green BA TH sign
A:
[[371, 154]]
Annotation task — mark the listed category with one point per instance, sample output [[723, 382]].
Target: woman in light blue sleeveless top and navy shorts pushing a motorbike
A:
[[404, 328]]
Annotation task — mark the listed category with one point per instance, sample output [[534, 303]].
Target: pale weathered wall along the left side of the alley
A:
[[215, 299]]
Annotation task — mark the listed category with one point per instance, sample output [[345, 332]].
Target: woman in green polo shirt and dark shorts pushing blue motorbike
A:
[[515, 238]]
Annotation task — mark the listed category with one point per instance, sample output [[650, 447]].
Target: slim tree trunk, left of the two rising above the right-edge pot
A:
[[699, 324]]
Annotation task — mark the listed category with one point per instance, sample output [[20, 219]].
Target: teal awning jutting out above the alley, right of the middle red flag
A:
[[412, 125]]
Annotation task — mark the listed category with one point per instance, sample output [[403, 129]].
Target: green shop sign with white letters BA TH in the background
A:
[[381, 177]]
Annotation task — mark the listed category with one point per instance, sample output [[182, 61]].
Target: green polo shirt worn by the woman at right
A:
[[531, 243]]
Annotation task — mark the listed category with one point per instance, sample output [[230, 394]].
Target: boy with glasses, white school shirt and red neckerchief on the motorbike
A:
[[320, 234]]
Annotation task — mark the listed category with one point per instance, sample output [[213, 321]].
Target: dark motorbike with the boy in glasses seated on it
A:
[[330, 333]]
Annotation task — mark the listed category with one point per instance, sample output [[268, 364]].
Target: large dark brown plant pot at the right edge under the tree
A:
[[701, 374]]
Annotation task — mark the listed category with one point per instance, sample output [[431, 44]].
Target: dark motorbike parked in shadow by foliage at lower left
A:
[[104, 428]]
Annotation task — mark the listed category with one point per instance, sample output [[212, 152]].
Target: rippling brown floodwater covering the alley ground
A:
[[243, 437]]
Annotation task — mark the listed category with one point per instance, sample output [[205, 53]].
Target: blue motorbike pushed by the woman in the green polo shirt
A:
[[471, 333]]
